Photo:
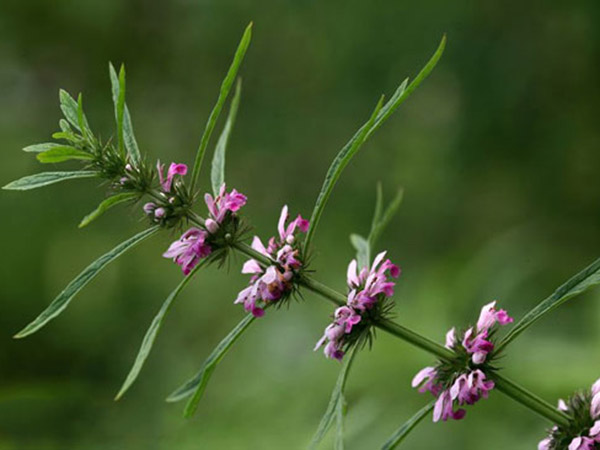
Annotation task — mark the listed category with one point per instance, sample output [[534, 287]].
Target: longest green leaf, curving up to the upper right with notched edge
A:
[[364, 133]]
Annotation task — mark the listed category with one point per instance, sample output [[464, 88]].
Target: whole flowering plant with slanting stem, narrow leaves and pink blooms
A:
[[166, 196]]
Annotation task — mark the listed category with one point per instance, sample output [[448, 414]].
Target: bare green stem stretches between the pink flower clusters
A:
[[508, 387]]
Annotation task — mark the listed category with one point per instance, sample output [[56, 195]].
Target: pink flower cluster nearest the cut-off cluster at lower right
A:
[[468, 387]]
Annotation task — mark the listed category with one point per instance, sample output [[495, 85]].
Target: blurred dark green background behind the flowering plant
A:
[[498, 152]]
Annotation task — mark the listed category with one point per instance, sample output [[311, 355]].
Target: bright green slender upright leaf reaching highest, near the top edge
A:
[[224, 92]]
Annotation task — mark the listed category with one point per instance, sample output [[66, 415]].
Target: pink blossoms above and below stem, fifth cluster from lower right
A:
[[193, 245]]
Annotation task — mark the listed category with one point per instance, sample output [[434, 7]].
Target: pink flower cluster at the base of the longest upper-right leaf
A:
[[268, 285]]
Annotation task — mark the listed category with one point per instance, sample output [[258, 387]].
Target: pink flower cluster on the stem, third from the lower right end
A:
[[367, 288]]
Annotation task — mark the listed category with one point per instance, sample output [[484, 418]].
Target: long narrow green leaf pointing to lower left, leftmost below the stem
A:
[[64, 298]]
